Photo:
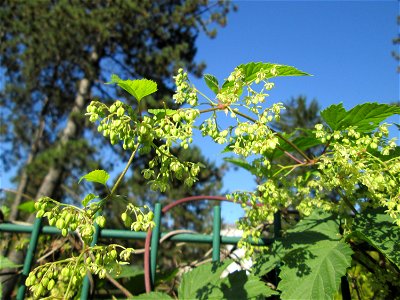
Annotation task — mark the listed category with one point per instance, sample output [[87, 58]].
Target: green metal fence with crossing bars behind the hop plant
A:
[[152, 239]]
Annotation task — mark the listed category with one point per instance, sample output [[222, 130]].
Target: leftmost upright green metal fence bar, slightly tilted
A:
[[29, 257]]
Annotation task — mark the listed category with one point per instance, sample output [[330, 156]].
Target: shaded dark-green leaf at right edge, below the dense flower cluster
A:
[[377, 228]]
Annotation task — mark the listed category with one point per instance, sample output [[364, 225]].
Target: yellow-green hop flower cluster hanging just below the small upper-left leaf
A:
[[174, 127]]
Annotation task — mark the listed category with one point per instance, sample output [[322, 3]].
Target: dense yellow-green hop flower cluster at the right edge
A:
[[357, 165]]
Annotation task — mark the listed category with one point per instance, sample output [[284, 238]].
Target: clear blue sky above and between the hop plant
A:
[[346, 45]]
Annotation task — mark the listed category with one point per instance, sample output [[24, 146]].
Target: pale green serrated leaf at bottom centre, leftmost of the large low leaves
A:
[[199, 283]]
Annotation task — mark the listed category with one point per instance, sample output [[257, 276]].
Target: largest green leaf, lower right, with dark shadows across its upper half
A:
[[316, 258]]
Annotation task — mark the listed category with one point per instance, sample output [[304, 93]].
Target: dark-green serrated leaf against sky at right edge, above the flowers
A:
[[366, 117]]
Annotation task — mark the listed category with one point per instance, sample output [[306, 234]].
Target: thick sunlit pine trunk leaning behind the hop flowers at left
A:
[[53, 176]]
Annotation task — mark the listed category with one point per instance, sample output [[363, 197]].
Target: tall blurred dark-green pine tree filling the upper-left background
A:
[[56, 56]]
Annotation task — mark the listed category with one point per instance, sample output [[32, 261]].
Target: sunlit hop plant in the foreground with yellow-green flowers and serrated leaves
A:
[[352, 183]]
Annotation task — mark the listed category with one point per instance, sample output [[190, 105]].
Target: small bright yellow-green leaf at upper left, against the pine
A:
[[138, 88]]
